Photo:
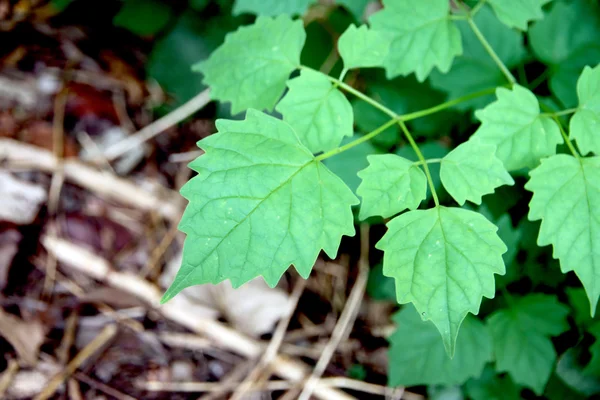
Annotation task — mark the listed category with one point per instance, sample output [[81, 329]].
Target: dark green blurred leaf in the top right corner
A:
[[566, 40]]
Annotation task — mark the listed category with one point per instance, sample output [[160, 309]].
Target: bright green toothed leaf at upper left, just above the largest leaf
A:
[[251, 68]]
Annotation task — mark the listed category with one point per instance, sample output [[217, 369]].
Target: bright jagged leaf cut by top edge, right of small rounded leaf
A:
[[423, 36]]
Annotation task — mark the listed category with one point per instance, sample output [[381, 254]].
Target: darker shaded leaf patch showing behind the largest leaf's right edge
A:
[[347, 164]]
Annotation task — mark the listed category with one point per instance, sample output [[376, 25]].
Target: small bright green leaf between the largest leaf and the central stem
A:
[[390, 184]]
